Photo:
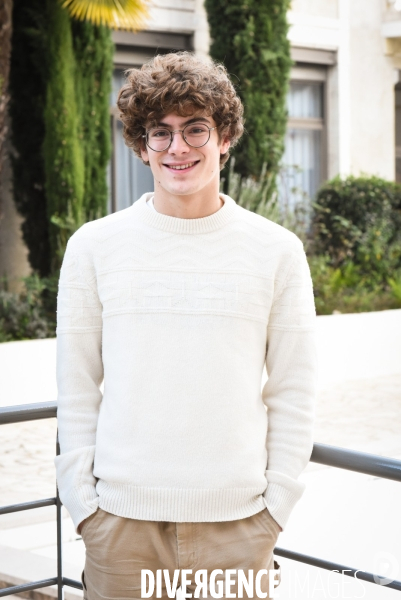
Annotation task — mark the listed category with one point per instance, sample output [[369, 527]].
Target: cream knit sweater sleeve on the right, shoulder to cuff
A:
[[290, 392]]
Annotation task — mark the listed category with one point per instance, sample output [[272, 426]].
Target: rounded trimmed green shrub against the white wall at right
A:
[[358, 220]]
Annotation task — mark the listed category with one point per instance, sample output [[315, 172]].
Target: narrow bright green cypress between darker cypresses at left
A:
[[62, 148]]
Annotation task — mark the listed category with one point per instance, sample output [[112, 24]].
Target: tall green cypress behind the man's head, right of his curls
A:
[[250, 38]]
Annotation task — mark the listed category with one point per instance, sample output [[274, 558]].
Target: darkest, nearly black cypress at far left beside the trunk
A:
[[28, 76]]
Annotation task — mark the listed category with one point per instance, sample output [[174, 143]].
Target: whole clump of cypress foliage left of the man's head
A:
[[60, 83]]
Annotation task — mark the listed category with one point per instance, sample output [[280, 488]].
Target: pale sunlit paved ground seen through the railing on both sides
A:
[[343, 516]]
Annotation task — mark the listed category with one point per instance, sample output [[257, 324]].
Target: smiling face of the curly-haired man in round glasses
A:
[[201, 165]]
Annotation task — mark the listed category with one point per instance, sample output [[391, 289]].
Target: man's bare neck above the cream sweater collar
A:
[[197, 205]]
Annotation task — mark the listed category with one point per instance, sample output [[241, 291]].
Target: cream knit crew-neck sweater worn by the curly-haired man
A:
[[178, 316]]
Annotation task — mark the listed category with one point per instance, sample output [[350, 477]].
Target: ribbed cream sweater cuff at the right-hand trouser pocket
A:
[[281, 495]]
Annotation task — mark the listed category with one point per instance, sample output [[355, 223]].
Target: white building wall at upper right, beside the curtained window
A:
[[361, 107]]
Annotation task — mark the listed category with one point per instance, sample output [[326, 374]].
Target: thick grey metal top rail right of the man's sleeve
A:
[[361, 462]]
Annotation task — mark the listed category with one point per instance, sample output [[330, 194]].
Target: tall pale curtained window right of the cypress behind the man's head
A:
[[303, 161]]
